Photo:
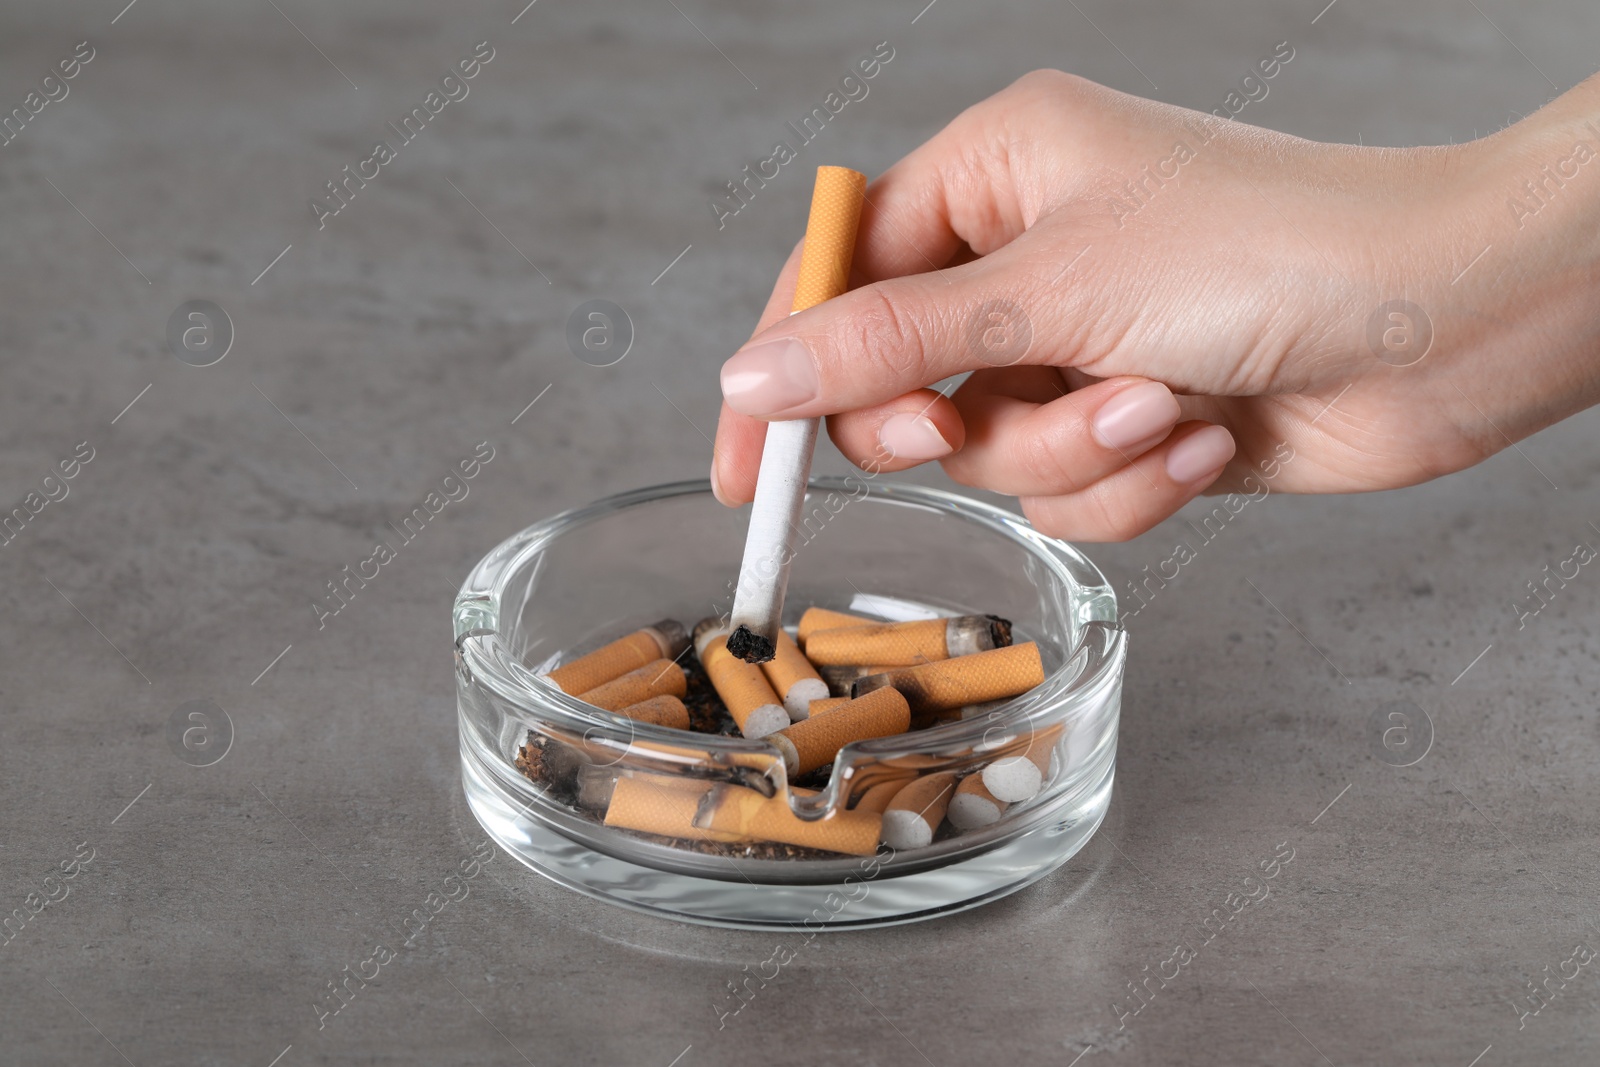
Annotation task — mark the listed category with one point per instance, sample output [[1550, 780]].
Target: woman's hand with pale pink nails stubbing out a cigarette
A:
[[1156, 302]]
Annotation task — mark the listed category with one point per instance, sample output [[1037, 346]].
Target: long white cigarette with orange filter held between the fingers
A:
[[786, 457]]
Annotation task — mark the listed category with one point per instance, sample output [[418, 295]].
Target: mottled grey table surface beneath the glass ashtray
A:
[[375, 353]]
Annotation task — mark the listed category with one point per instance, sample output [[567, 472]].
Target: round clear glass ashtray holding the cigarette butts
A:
[[588, 577]]
